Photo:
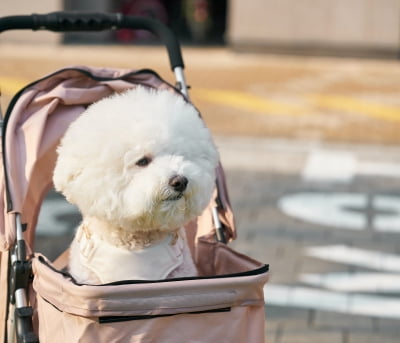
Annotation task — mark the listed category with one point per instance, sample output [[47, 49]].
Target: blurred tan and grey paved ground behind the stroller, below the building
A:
[[311, 151]]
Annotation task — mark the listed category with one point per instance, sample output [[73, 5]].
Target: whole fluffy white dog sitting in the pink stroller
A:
[[139, 165]]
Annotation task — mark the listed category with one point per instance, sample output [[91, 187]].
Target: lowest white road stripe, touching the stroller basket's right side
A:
[[310, 298]]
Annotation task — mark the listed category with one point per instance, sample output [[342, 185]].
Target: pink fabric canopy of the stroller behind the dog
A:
[[34, 123]]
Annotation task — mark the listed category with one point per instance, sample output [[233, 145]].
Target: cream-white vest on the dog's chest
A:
[[111, 263]]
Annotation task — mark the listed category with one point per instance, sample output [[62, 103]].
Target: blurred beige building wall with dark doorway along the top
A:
[[356, 27]]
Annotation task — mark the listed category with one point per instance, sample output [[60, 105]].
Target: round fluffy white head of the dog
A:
[[141, 160]]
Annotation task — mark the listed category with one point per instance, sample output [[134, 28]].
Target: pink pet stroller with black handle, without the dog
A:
[[38, 299]]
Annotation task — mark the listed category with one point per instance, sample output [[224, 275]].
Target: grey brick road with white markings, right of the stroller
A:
[[332, 277]]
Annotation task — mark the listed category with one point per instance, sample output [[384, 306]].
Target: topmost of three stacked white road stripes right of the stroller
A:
[[358, 257]]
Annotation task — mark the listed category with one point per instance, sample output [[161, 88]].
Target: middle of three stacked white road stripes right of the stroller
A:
[[354, 282]]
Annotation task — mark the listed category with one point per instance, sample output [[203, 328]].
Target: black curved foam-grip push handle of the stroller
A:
[[88, 21]]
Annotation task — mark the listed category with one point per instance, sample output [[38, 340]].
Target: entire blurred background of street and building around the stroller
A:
[[302, 97]]
